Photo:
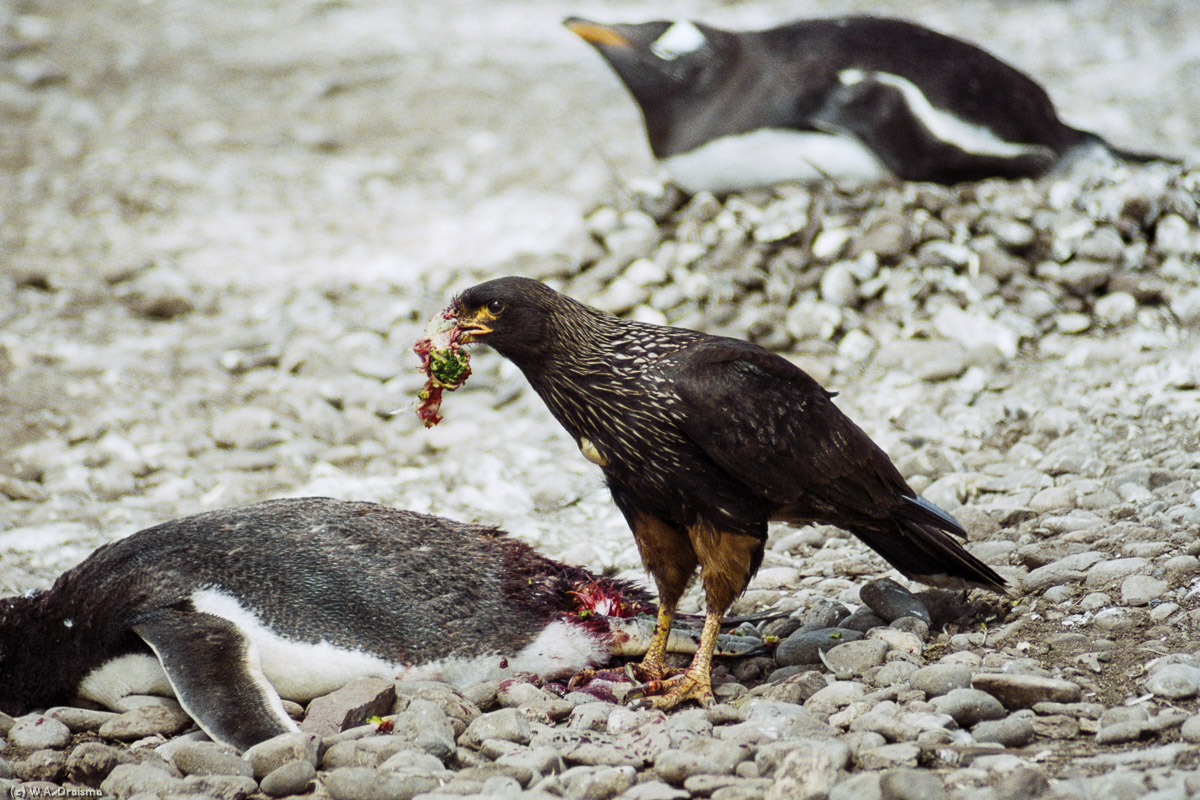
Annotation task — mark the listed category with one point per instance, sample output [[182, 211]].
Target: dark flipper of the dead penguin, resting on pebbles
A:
[[214, 671]]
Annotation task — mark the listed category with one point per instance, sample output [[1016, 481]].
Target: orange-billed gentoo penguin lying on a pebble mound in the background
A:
[[856, 98]]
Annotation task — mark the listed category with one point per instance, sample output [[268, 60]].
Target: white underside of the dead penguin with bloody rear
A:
[[302, 671]]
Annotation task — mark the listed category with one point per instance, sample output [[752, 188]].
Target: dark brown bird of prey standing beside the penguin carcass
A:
[[704, 441]]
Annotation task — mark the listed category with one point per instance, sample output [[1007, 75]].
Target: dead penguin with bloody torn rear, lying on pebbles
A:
[[232, 610]]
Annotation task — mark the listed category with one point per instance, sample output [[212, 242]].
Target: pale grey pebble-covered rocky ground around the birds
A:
[[223, 230]]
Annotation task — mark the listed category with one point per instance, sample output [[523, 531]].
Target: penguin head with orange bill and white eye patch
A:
[[668, 67]]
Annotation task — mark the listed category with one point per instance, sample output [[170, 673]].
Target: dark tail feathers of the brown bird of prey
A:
[[932, 556]]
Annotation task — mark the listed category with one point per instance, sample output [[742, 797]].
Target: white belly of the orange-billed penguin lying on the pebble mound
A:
[[770, 157]]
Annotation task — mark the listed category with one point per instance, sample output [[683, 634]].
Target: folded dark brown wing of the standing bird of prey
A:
[[773, 428]]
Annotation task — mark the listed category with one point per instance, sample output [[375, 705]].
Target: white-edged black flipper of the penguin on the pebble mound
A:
[[919, 142]]
